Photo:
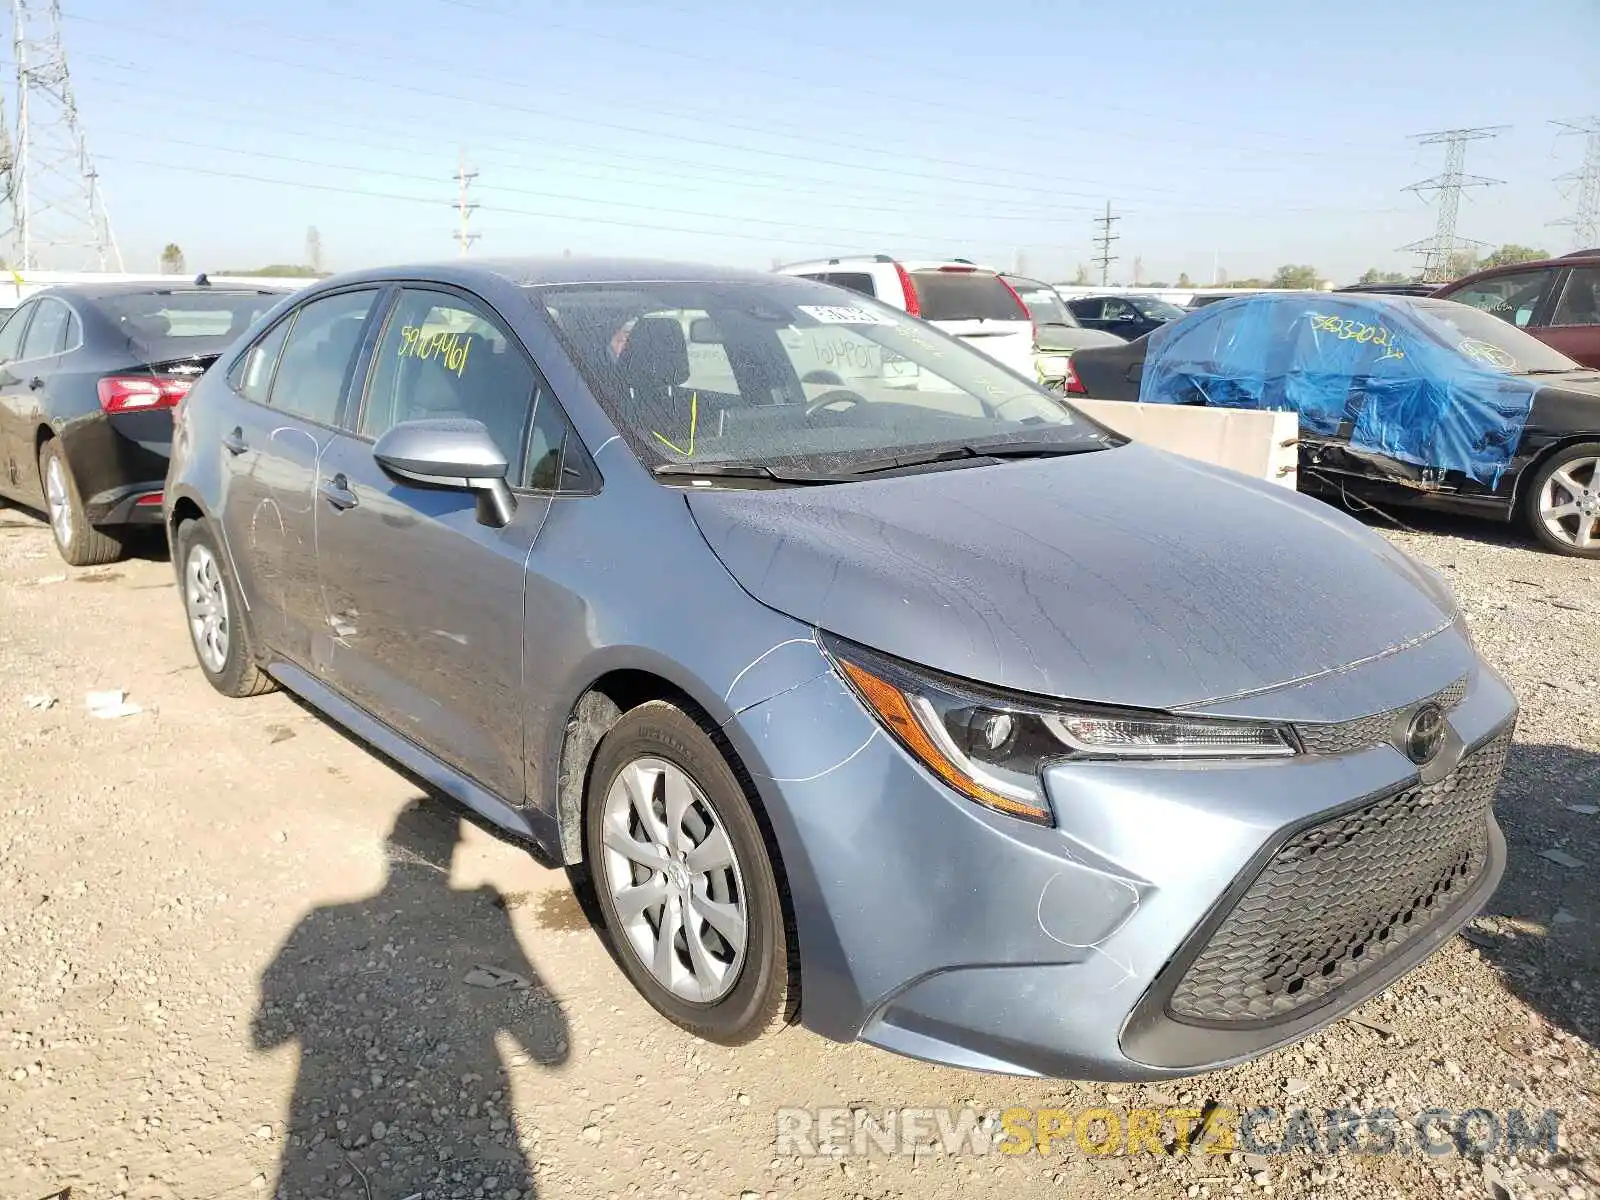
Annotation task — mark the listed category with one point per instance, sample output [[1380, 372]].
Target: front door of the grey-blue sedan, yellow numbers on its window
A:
[[425, 602]]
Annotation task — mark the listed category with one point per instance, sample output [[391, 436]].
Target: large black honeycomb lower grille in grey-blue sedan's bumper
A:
[[1342, 897]]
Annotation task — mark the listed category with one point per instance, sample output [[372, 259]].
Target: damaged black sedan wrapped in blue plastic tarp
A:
[[1402, 401]]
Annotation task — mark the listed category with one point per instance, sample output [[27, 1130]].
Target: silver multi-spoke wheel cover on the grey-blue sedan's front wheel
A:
[[674, 881]]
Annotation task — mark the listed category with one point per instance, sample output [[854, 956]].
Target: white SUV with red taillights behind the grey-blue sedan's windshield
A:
[[964, 300]]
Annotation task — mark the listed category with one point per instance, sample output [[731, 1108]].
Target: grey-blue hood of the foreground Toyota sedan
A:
[[1126, 577]]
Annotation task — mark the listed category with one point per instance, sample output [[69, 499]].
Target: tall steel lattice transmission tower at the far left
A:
[[58, 214]]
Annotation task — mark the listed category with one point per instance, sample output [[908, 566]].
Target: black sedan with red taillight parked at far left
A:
[[89, 378]]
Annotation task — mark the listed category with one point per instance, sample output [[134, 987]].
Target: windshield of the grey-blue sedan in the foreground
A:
[[790, 375]]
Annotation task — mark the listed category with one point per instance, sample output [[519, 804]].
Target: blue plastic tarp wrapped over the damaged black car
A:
[[1414, 382]]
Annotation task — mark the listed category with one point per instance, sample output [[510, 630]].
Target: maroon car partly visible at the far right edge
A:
[[1558, 300]]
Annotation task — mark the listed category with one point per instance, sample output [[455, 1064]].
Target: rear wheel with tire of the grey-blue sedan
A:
[[215, 614]]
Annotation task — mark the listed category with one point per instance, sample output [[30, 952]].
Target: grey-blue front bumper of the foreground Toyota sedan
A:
[[935, 929]]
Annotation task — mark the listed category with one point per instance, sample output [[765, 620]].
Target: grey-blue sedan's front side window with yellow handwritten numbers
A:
[[446, 356]]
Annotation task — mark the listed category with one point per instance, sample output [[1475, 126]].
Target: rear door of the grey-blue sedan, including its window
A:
[[287, 406]]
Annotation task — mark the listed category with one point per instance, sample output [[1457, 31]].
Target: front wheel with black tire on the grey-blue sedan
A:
[[759, 988]]
